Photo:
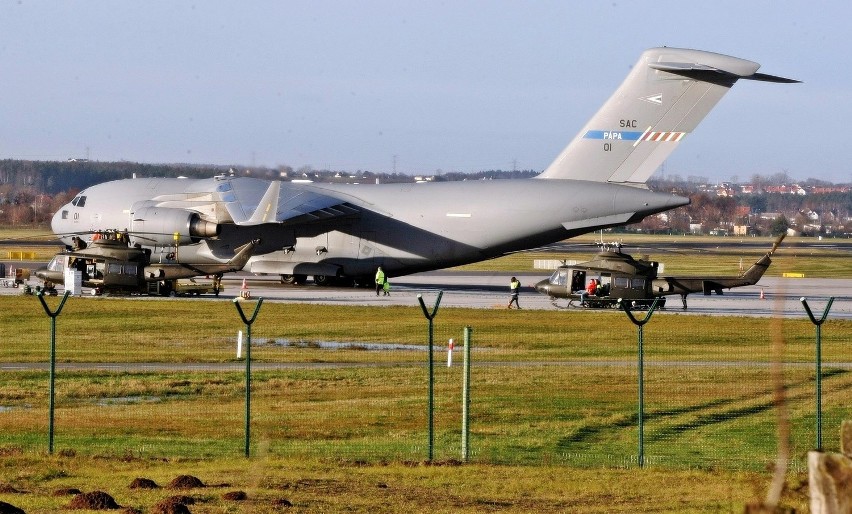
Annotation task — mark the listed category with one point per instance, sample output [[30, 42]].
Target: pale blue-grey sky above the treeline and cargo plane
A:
[[423, 86]]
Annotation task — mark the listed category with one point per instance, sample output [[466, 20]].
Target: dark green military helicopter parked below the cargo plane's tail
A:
[[618, 277]]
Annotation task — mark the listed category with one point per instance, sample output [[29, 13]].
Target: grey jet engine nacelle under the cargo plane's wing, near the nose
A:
[[158, 226]]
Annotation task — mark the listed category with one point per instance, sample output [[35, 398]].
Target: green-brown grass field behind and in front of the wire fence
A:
[[553, 412]]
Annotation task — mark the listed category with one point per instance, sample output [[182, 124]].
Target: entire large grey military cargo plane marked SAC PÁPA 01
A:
[[338, 233]]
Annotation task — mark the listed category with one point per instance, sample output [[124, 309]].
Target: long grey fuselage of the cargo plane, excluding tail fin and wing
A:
[[403, 227]]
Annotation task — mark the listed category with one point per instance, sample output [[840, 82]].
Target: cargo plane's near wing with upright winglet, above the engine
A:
[[254, 202]]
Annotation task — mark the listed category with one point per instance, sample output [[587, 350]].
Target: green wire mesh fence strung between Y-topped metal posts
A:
[[163, 379]]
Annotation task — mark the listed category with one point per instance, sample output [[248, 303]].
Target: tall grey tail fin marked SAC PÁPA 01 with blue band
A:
[[664, 97]]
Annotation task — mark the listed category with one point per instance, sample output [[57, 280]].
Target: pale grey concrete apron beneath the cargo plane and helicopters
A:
[[490, 290]]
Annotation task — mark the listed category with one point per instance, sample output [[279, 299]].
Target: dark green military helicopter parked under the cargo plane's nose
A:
[[110, 264]]
